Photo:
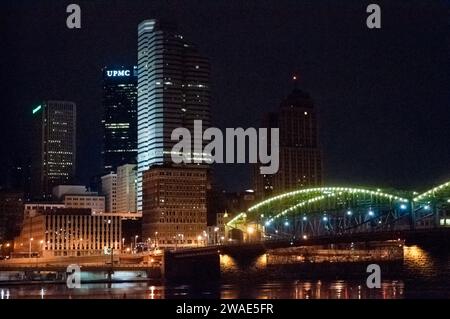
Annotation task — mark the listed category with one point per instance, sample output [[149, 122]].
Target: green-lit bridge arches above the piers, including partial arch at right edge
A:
[[330, 212]]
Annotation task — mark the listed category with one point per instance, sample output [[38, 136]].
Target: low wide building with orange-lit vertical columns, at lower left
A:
[[68, 232]]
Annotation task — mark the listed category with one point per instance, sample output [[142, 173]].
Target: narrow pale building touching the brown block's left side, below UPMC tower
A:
[[126, 188]]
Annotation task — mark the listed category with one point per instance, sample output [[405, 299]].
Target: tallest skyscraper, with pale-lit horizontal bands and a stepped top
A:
[[174, 90]]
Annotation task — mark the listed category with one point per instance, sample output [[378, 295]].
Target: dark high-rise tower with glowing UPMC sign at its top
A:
[[120, 117]]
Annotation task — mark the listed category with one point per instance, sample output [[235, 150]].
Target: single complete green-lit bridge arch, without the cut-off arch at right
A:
[[326, 211]]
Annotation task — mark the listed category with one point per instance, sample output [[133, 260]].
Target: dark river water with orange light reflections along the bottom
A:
[[423, 274]]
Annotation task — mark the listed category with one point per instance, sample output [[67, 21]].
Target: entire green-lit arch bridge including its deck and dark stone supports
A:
[[323, 218]]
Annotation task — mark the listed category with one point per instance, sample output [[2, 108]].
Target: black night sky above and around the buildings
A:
[[383, 96]]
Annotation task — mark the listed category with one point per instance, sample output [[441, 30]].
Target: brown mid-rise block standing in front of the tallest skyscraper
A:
[[174, 210]]
